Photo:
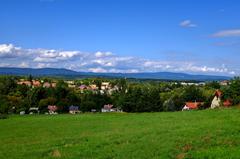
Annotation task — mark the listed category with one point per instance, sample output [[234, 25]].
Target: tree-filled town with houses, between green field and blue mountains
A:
[[41, 95]]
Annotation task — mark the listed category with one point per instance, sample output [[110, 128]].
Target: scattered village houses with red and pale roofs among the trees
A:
[[108, 87]]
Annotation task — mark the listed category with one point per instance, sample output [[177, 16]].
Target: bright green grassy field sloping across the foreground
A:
[[196, 134]]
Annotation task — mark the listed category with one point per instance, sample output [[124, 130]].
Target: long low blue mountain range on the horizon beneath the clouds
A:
[[70, 73]]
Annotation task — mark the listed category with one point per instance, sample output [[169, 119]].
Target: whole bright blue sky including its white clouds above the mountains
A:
[[197, 37]]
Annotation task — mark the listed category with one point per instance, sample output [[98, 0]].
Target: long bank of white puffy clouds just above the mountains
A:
[[12, 56]]
